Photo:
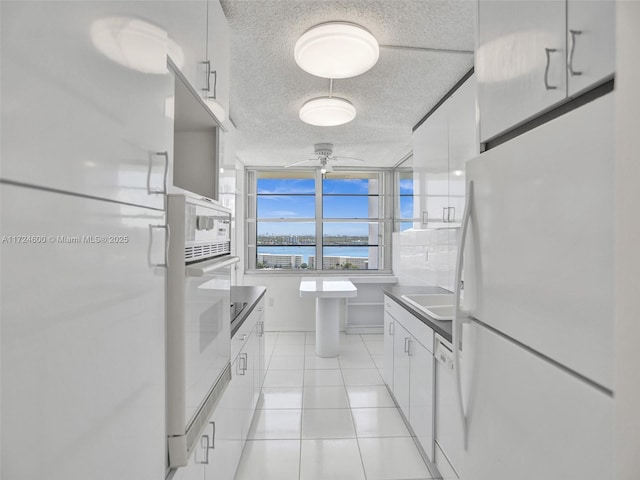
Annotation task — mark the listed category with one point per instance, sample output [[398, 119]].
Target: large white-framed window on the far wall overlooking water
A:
[[300, 220]]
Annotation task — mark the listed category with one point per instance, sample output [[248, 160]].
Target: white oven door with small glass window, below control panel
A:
[[207, 334]]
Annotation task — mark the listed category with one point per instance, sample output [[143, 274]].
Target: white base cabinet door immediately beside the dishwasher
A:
[[421, 395]]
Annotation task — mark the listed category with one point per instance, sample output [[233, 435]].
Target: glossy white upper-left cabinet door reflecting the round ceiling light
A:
[[77, 119]]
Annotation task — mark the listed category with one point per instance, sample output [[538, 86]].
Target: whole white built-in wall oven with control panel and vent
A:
[[198, 318]]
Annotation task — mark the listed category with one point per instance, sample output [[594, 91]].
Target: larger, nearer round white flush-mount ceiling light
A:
[[336, 50]]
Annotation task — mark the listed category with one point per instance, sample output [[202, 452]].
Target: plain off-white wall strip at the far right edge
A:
[[627, 239]]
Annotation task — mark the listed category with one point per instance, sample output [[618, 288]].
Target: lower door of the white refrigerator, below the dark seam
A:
[[529, 419]]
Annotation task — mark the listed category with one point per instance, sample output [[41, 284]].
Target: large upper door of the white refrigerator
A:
[[539, 263]]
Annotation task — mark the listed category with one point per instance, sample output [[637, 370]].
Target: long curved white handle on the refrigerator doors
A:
[[459, 317]]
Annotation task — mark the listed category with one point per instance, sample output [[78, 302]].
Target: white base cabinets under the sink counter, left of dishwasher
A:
[[413, 371]]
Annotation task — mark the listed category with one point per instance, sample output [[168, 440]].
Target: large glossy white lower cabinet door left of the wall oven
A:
[[82, 338]]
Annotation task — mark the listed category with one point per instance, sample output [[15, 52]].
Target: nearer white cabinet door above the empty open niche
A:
[[187, 26]]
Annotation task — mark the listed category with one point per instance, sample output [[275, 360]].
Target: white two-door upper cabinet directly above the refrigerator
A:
[[533, 54]]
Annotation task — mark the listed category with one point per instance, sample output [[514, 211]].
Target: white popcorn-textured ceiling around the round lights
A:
[[268, 88]]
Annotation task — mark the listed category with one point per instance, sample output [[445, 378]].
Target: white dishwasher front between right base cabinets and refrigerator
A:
[[449, 444]]
